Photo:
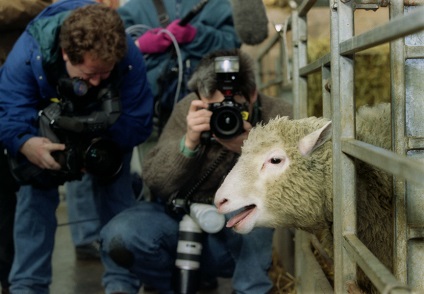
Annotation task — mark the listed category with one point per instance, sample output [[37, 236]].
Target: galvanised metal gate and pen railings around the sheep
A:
[[404, 31]]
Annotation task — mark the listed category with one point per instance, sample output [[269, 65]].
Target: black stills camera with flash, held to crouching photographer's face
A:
[[227, 116]]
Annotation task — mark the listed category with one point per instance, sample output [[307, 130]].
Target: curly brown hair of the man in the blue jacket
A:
[[95, 29]]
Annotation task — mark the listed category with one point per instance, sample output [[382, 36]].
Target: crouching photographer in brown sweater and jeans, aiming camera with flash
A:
[[198, 147]]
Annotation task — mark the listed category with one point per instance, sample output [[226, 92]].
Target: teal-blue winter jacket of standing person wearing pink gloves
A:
[[215, 31]]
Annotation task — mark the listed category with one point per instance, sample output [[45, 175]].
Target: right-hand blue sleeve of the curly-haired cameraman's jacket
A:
[[134, 125]]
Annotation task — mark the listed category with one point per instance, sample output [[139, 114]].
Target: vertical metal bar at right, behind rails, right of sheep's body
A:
[[398, 133]]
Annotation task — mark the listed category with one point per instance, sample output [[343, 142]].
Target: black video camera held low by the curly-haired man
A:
[[78, 119]]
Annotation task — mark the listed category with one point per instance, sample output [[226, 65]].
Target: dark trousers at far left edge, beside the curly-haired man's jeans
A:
[[8, 188]]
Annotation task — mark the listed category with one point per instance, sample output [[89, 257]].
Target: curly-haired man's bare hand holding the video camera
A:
[[38, 151]]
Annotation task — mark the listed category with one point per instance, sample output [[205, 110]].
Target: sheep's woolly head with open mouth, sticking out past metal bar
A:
[[282, 177]]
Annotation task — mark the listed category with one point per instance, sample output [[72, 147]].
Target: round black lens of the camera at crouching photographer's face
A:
[[226, 122]]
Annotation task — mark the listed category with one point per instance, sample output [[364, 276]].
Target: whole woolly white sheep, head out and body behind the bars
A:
[[283, 178]]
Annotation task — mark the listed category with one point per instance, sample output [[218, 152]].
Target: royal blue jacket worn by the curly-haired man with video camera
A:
[[25, 83]]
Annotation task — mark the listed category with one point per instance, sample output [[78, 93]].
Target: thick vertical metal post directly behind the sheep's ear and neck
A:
[[342, 70]]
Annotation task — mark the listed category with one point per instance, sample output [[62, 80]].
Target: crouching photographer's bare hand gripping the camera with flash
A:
[[198, 119]]
